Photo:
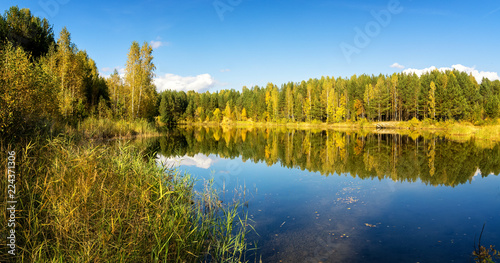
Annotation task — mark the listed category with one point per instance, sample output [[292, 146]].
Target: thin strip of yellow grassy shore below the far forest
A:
[[465, 130]]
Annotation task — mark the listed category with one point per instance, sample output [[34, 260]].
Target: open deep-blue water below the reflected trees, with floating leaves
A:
[[301, 216]]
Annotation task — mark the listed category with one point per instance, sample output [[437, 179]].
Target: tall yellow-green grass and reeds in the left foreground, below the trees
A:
[[83, 202]]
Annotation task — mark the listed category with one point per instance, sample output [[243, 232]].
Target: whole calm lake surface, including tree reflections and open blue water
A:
[[331, 196]]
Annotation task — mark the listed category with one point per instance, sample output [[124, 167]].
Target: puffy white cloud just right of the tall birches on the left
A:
[[198, 83]]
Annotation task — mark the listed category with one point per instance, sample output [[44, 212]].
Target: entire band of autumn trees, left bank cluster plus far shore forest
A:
[[43, 79]]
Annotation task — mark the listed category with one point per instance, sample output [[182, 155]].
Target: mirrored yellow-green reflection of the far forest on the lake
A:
[[430, 159]]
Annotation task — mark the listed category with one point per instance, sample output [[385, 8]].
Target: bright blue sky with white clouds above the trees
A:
[[224, 44]]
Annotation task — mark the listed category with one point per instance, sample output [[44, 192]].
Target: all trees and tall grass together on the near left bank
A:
[[81, 200]]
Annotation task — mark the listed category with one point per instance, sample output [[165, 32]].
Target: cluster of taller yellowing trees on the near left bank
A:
[[42, 78]]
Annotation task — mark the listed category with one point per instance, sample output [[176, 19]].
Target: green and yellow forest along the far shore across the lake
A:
[[435, 95]]
